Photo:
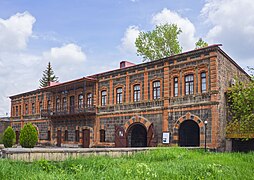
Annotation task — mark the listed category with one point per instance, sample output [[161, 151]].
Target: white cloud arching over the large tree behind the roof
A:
[[187, 38]]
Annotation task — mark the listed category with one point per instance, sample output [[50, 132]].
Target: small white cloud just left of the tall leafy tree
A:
[[129, 38]]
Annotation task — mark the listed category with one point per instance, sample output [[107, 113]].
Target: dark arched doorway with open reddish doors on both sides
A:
[[137, 136]]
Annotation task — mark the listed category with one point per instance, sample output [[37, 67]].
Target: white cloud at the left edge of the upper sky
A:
[[15, 31]]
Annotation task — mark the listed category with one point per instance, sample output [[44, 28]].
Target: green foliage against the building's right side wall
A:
[[241, 105]]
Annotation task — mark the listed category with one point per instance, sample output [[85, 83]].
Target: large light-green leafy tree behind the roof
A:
[[159, 43]]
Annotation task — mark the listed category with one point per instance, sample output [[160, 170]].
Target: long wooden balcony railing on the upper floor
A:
[[71, 111]]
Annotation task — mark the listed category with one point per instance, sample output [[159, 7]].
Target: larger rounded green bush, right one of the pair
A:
[[28, 136]]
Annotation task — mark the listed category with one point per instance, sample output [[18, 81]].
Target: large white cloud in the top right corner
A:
[[232, 24]]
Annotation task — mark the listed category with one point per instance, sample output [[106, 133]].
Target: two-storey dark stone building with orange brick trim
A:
[[135, 104]]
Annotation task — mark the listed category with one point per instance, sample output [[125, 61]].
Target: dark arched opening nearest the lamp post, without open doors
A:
[[189, 134]]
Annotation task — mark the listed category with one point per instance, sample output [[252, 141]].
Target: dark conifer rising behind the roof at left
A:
[[48, 76]]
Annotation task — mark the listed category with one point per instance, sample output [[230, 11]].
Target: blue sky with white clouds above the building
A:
[[84, 37]]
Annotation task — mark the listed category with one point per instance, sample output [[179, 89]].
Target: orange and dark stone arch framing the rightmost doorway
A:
[[189, 116]]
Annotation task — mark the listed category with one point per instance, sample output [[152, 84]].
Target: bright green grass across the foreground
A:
[[163, 163]]
